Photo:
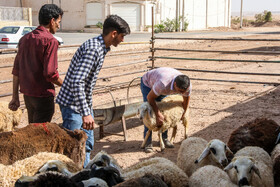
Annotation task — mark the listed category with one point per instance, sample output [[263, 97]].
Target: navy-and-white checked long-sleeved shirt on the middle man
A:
[[77, 87]]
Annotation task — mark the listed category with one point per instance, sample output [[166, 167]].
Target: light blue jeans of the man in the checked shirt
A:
[[73, 120]]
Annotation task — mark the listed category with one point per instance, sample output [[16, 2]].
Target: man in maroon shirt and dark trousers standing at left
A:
[[35, 67]]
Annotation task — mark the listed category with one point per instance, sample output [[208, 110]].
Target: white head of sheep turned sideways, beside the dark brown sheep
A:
[[217, 149]]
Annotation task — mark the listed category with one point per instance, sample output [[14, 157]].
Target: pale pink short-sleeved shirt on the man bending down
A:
[[161, 81]]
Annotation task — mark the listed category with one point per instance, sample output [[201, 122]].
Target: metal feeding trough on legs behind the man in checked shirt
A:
[[118, 112]]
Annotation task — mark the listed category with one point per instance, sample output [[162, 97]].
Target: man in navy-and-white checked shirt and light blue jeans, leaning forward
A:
[[75, 95]]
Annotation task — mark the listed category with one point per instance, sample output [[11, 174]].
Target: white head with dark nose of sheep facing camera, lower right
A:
[[243, 166]]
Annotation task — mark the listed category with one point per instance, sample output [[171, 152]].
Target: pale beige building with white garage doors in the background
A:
[[78, 14]]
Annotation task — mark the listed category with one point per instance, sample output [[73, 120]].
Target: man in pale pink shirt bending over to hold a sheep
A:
[[155, 85]]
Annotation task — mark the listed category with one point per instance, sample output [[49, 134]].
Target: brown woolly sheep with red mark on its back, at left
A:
[[42, 137]]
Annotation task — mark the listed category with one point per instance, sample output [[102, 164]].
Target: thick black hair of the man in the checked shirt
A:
[[115, 23]]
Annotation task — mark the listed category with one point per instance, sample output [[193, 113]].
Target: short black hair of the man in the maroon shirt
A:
[[49, 11]]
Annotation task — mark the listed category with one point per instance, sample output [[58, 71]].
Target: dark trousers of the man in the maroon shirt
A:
[[39, 109]]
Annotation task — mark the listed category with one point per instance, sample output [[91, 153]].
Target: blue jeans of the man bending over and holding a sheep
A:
[[145, 91]]
